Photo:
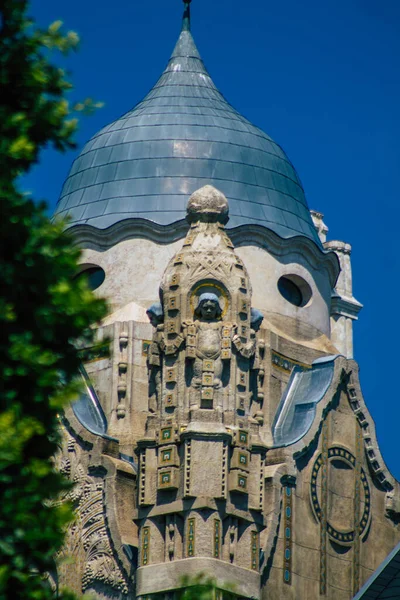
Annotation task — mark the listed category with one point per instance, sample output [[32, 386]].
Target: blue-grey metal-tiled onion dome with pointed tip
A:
[[182, 136]]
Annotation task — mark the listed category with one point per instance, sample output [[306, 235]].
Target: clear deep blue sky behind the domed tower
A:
[[322, 79]]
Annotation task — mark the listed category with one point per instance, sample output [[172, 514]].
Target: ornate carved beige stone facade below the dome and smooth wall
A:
[[237, 452]]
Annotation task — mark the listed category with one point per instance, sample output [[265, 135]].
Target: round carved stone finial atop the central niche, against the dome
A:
[[207, 204]]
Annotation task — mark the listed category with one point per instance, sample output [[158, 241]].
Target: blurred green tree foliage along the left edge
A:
[[43, 310]]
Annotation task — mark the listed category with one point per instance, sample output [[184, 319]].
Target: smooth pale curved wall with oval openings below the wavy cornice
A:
[[135, 266]]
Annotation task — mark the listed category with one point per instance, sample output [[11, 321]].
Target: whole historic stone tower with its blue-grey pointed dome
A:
[[223, 429]]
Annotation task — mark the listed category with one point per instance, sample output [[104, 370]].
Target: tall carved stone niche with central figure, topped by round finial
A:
[[206, 359]]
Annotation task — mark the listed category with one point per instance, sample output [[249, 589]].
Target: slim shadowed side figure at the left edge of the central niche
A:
[[156, 318]]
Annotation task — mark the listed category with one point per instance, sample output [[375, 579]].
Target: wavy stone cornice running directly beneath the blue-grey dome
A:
[[87, 236]]
